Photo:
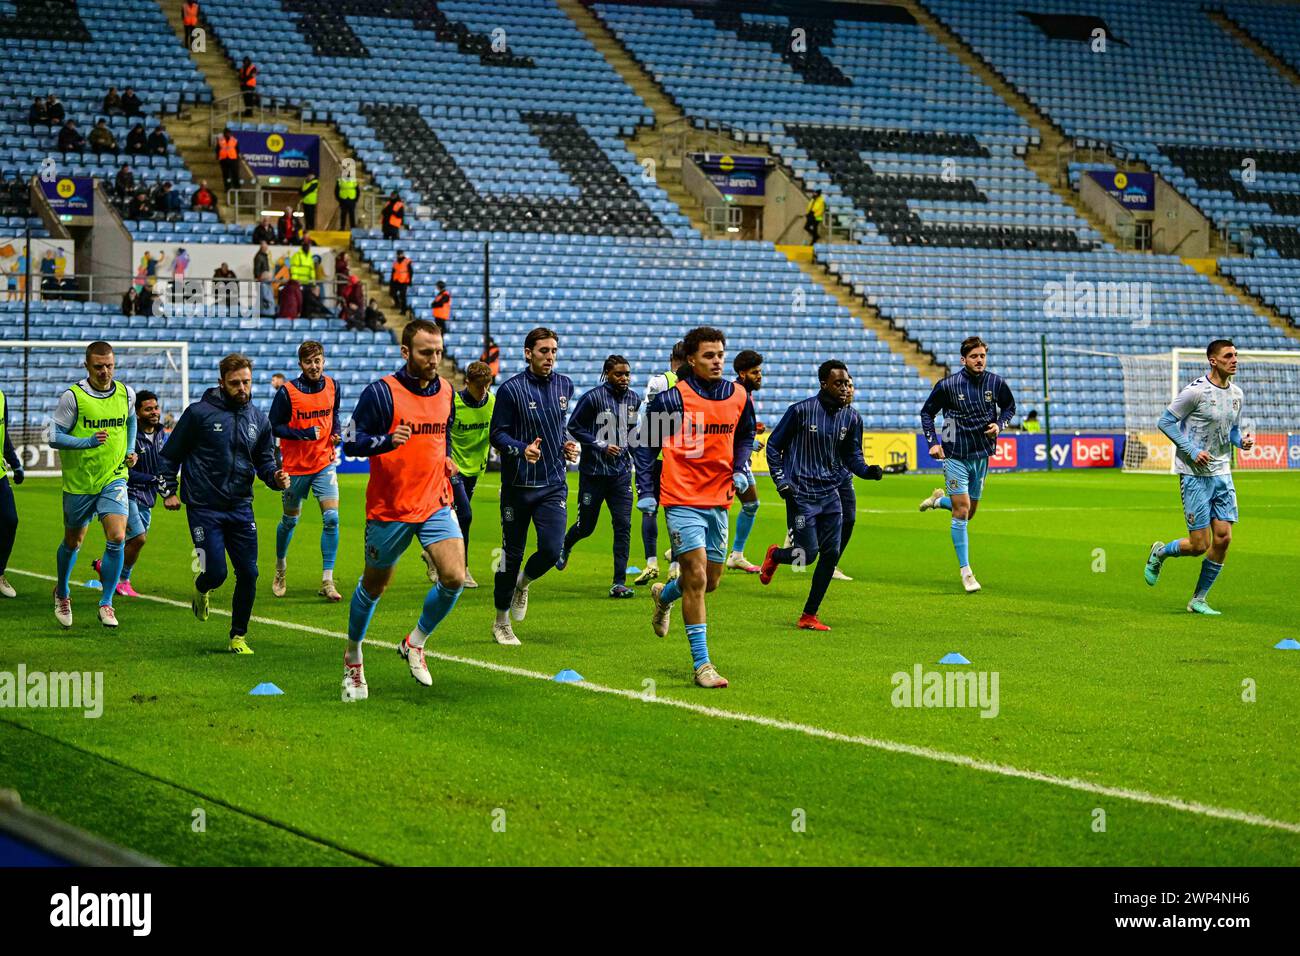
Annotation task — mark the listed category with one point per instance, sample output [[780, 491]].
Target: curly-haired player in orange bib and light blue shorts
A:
[[705, 427]]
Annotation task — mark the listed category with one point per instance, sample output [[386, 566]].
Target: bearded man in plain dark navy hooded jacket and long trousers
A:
[[223, 443]]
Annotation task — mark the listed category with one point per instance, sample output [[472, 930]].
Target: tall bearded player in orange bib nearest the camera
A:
[[404, 425]]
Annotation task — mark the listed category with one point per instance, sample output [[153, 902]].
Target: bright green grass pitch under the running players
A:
[[1112, 699]]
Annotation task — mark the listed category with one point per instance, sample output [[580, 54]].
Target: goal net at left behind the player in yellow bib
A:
[[33, 375]]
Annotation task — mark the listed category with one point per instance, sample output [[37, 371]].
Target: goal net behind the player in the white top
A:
[[1271, 384]]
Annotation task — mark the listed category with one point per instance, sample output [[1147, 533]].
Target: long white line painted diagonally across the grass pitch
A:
[[809, 730]]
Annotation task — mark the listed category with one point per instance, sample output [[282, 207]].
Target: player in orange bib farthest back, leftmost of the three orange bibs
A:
[[305, 418]]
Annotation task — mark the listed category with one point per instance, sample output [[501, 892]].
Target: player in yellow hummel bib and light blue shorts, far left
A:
[[94, 431]]
